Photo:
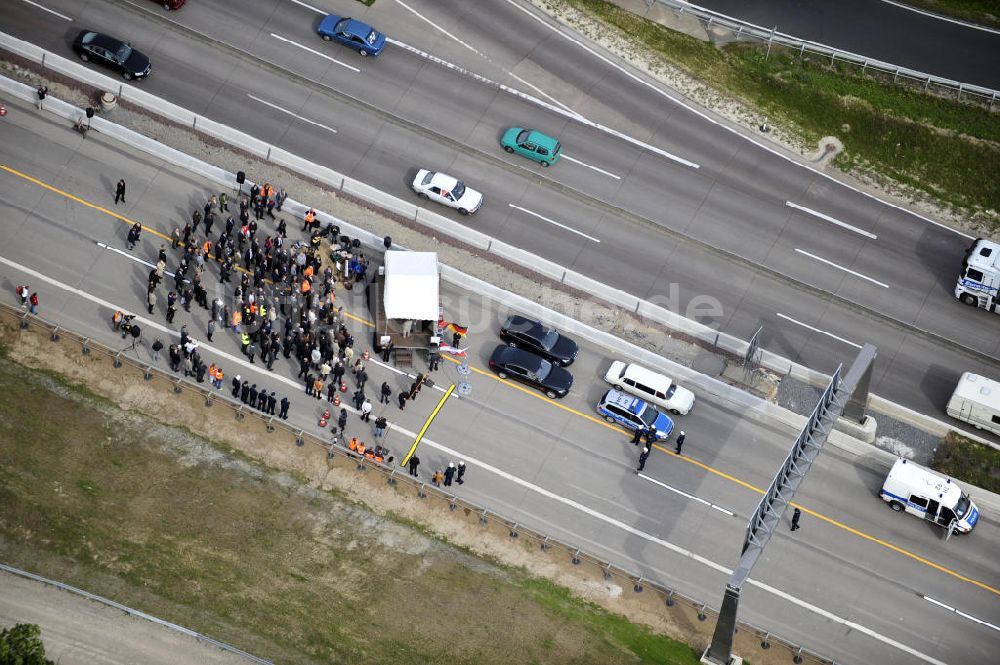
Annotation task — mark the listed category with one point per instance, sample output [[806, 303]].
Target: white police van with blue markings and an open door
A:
[[929, 495]]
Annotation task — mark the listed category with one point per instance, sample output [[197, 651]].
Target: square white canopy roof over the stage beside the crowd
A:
[[411, 286]]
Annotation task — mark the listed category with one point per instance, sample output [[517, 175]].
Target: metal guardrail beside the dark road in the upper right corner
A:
[[743, 31]]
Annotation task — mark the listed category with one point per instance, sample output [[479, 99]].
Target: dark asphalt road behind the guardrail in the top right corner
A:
[[881, 31]]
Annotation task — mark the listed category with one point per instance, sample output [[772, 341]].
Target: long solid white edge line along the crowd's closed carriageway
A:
[[511, 478]]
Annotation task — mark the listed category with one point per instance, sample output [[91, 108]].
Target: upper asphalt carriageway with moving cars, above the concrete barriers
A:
[[723, 233]]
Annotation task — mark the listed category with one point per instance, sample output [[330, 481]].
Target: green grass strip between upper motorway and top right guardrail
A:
[[947, 149]]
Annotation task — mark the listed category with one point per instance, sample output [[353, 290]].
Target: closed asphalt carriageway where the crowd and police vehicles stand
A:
[[551, 466]]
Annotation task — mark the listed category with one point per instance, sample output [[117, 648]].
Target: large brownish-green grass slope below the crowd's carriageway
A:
[[163, 521]]
